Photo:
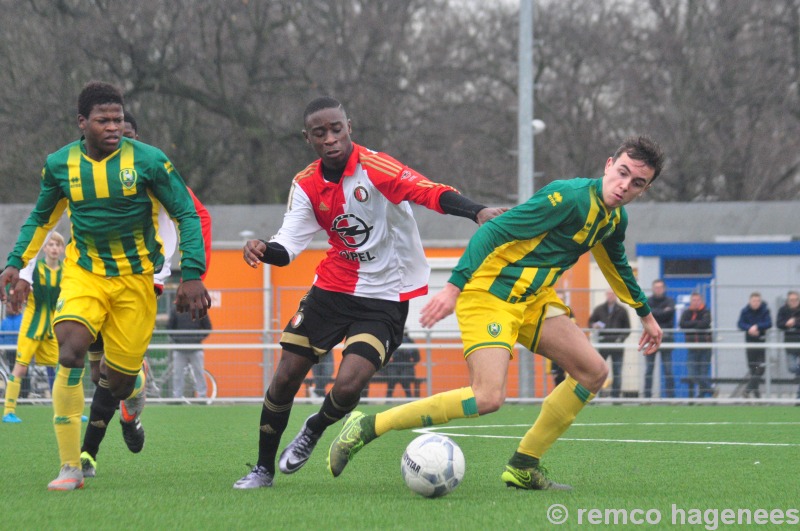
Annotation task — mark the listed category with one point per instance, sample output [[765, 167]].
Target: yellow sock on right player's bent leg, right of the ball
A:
[[558, 411]]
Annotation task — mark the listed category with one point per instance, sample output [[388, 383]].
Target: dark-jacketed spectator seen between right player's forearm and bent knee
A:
[[612, 322]]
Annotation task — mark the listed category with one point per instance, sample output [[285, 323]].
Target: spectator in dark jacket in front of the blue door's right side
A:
[[697, 318]]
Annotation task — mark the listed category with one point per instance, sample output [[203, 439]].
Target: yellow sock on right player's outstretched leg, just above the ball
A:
[[436, 409]]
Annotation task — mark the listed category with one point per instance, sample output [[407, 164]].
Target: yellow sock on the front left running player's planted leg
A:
[[67, 409]]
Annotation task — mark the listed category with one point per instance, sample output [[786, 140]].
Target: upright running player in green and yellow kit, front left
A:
[[111, 187]]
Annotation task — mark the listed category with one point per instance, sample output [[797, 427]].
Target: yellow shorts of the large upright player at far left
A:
[[123, 308]]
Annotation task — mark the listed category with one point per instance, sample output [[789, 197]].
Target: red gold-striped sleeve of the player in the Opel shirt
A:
[[400, 183]]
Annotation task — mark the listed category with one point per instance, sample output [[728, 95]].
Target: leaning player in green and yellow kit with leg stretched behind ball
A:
[[502, 293]]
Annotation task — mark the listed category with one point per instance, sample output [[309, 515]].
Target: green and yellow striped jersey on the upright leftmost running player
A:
[[113, 208]]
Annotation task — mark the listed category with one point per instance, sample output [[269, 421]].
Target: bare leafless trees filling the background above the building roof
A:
[[220, 87]]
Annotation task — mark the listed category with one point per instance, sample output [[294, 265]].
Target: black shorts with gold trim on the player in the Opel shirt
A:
[[373, 328]]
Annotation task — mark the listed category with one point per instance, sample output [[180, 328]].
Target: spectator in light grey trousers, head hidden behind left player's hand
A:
[[194, 357]]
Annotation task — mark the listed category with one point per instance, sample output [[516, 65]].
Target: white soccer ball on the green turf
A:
[[432, 465]]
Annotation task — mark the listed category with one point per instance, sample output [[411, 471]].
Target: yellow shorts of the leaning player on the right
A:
[[487, 321]]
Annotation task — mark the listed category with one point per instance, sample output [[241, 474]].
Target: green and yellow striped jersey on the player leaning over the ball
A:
[[530, 246]]
